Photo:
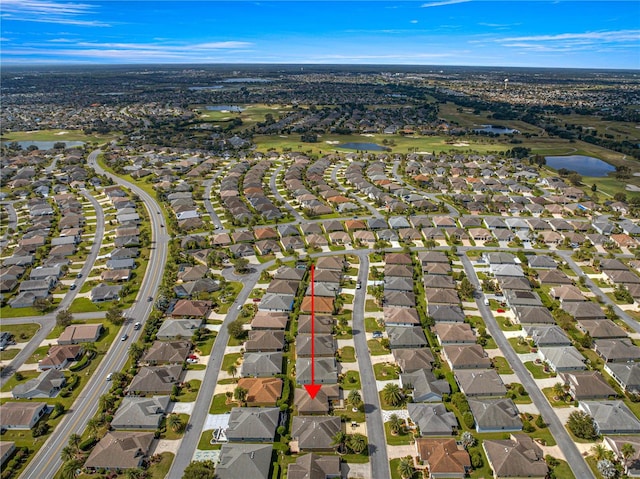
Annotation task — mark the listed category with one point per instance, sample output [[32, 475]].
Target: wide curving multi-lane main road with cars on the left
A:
[[46, 463]]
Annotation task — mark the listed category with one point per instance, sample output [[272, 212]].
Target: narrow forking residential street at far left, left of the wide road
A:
[[48, 321]]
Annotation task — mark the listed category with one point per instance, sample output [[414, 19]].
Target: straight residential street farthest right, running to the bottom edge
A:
[[577, 463]]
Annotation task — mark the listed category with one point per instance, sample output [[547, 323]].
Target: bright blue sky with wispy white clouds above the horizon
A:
[[587, 34]]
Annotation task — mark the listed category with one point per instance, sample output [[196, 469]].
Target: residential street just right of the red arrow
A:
[[378, 459]]
